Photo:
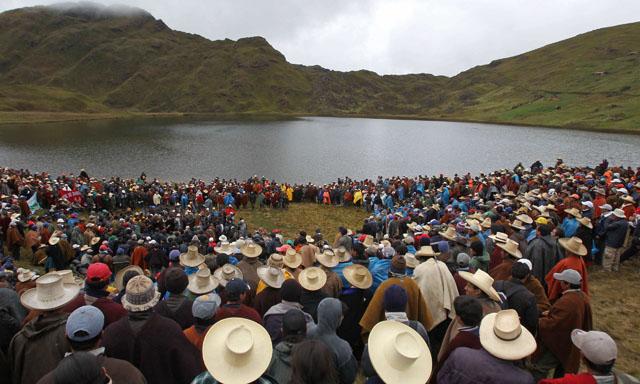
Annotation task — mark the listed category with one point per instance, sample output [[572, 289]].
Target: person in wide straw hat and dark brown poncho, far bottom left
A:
[[41, 344]]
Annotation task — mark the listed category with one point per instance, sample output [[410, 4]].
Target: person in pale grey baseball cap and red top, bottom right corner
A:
[[599, 353]]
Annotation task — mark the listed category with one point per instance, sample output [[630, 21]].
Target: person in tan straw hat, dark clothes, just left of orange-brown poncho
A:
[[356, 296]]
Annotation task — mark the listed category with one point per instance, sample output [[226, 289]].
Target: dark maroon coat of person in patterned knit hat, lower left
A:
[[159, 349]]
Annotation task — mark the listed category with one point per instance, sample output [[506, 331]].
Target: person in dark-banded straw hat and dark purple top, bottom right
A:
[[504, 342]]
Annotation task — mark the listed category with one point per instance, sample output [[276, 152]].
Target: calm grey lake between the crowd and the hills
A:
[[316, 149]]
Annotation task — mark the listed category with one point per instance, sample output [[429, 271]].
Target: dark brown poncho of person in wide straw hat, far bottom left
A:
[[38, 348]]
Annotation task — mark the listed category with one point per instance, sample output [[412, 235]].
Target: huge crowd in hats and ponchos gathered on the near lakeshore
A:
[[463, 279]]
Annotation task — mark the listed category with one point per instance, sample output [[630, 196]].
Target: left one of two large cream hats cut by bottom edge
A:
[[236, 350]]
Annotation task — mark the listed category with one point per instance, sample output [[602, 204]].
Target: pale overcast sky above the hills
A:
[[442, 37]]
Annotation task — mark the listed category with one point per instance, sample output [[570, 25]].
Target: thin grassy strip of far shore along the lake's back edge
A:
[[31, 118]]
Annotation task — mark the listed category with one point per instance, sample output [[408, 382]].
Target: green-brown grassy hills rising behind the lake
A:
[[87, 58]]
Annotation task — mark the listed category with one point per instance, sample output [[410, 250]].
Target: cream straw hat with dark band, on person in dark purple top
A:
[[502, 335]]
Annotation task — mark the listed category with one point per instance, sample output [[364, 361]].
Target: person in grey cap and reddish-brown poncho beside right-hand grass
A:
[[571, 310]]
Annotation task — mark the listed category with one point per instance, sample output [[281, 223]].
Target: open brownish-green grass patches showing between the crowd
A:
[[614, 300]]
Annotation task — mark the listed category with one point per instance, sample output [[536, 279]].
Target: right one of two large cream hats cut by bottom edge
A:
[[399, 354]]
